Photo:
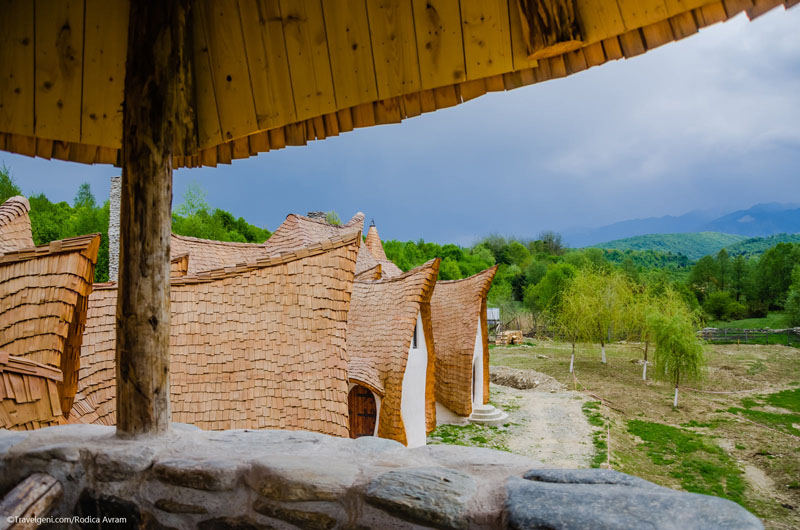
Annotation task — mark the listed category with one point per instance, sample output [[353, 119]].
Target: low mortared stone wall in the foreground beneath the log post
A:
[[247, 480]]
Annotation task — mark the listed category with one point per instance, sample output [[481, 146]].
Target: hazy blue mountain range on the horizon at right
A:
[[761, 220]]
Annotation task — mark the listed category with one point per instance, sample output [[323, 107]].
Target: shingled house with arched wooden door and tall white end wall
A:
[[391, 357]]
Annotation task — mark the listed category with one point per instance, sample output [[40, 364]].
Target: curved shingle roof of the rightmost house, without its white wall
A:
[[458, 307]]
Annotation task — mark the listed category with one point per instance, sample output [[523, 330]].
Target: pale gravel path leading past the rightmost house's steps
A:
[[549, 426]]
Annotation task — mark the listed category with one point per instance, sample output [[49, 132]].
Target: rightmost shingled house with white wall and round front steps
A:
[[458, 313]]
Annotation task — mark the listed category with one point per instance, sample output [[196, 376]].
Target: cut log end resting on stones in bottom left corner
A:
[[33, 497]]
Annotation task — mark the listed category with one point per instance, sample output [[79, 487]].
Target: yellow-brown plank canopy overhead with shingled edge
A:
[[271, 73]]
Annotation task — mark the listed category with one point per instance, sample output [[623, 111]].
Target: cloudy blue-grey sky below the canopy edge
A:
[[710, 122]]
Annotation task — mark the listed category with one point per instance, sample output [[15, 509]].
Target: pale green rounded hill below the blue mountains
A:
[[693, 246]]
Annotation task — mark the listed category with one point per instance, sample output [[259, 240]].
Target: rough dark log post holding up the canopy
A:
[[158, 121]]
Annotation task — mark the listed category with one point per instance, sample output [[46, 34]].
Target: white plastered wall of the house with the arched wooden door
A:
[[412, 404]]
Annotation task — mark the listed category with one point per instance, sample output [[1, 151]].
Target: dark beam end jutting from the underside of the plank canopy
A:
[[550, 26]]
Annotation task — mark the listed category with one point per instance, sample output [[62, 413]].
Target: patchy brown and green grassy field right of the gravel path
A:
[[736, 435]]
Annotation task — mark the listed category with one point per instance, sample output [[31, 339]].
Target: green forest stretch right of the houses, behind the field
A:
[[533, 274]]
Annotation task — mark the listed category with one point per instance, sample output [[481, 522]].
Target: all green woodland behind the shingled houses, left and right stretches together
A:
[[533, 274]]
